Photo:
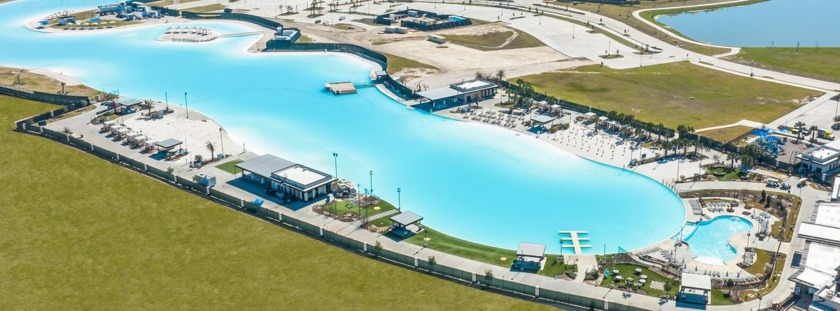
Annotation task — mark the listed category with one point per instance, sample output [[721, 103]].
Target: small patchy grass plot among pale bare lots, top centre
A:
[[496, 40]]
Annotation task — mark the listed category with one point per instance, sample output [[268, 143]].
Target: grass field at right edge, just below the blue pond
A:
[[819, 63]]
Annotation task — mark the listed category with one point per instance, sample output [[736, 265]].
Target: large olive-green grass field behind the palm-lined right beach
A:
[[677, 93]]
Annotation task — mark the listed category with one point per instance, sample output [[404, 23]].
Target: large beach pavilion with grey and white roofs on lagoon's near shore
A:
[[287, 178]]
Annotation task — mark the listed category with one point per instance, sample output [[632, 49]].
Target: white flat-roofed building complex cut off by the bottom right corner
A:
[[819, 269]]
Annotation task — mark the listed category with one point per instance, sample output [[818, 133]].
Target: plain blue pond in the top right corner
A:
[[781, 23]]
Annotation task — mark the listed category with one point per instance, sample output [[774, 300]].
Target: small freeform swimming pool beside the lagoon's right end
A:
[[710, 239]]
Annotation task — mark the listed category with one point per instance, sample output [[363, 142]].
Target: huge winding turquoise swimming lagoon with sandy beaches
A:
[[480, 183]]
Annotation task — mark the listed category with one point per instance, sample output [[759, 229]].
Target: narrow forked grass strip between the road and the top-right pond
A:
[[624, 14]]
